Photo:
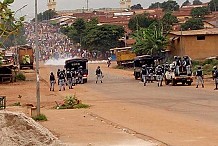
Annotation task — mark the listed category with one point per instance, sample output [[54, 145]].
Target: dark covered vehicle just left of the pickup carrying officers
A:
[[142, 60]]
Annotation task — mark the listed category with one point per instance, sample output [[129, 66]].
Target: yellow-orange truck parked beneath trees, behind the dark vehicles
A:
[[123, 55]]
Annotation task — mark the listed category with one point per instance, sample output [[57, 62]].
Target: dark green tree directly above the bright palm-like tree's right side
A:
[[168, 20]]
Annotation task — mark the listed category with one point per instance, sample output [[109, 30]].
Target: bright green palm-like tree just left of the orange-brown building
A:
[[150, 40]]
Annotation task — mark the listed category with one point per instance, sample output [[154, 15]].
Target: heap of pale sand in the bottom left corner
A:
[[16, 129]]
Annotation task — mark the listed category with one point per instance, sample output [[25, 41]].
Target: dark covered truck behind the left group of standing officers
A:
[[76, 63]]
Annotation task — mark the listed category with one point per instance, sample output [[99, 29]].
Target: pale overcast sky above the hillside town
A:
[[75, 4]]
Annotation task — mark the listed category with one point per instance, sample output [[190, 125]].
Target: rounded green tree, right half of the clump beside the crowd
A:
[[102, 38]]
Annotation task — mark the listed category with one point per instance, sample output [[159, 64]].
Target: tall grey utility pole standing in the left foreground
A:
[[37, 60]]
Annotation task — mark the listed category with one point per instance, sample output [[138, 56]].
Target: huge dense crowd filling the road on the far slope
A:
[[54, 44]]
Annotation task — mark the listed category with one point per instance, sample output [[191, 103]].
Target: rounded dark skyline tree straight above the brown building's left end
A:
[[170, 5]]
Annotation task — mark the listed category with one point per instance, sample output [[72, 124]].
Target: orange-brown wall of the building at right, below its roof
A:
[[196, 49]]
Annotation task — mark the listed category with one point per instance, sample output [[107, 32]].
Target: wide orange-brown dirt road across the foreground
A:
[[127, 113]]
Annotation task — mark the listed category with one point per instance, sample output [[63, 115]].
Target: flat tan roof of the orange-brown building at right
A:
[[212, 31]]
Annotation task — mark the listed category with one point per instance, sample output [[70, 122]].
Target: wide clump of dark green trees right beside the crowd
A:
[[93, 36]]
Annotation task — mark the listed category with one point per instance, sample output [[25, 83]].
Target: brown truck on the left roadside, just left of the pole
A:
[[26, 58]]
